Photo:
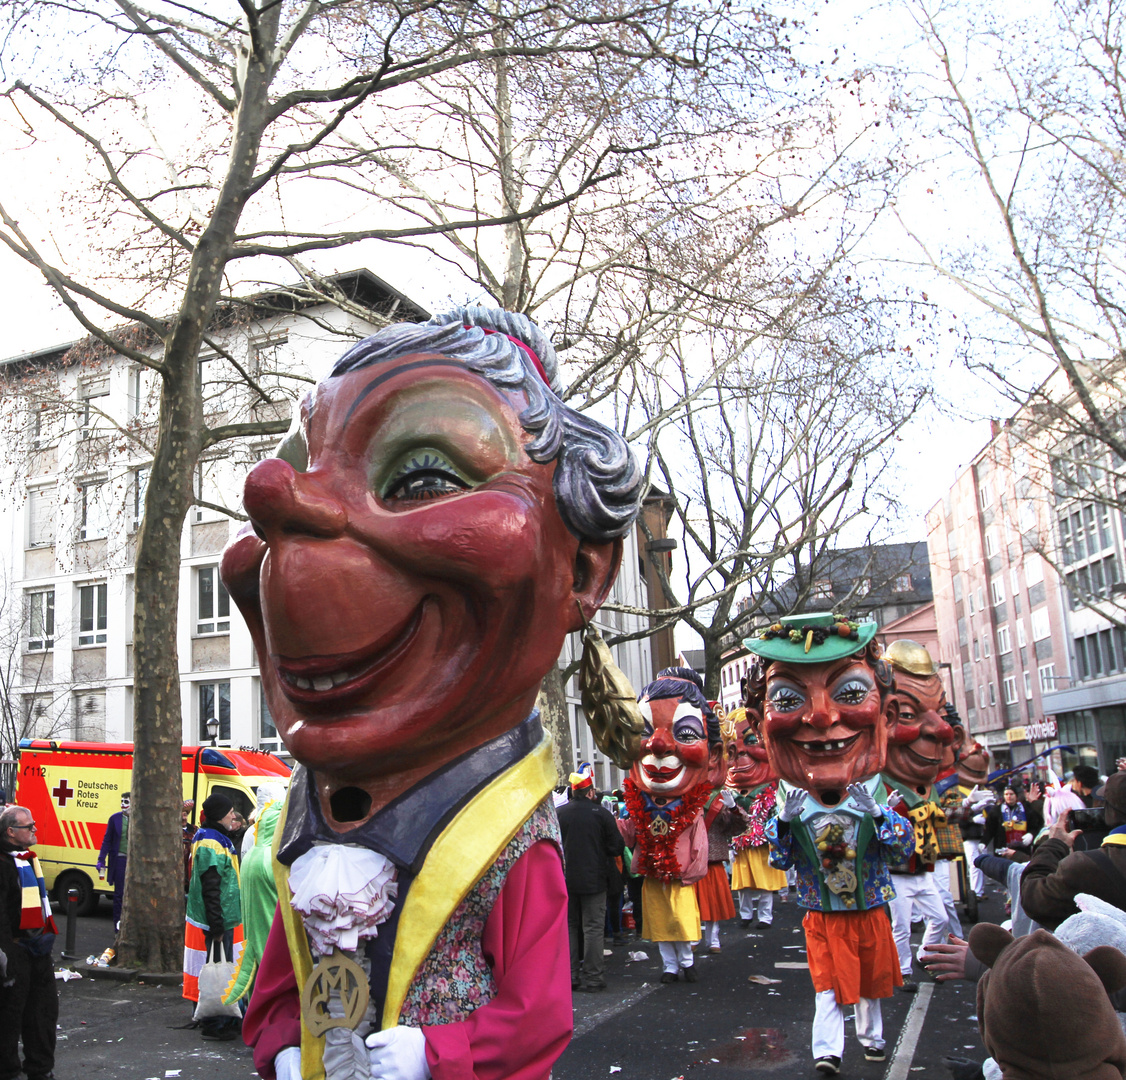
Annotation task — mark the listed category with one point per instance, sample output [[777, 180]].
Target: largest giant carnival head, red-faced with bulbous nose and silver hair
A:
[[433, 528]]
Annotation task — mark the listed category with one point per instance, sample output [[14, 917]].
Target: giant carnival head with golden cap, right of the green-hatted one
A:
[[923, 742]]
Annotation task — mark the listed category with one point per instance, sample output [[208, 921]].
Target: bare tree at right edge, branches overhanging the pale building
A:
[[1032, 101]]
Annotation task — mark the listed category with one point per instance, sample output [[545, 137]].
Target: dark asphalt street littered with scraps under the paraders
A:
[[721, 1028]]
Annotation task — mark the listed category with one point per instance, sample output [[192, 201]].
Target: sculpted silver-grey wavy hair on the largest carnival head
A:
[[598, 483]]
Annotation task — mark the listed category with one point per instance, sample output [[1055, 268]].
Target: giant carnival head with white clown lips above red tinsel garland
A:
[[683, 746]]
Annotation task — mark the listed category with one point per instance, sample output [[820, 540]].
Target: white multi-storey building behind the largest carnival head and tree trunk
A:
[[76, 475]]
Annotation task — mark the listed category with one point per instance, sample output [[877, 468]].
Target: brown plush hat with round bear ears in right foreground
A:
[[1044, 1012]]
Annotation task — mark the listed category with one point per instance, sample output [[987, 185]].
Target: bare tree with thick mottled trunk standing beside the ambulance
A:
[[177, 208]]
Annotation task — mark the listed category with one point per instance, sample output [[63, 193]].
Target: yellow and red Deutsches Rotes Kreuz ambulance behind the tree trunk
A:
[[72, 789]]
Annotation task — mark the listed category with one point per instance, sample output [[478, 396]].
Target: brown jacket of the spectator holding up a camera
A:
[[1056, 874]]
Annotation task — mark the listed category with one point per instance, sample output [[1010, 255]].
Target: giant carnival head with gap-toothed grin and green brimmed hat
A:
[[821, 701]]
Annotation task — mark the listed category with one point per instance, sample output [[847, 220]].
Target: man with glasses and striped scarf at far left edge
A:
[[29, 998]]
